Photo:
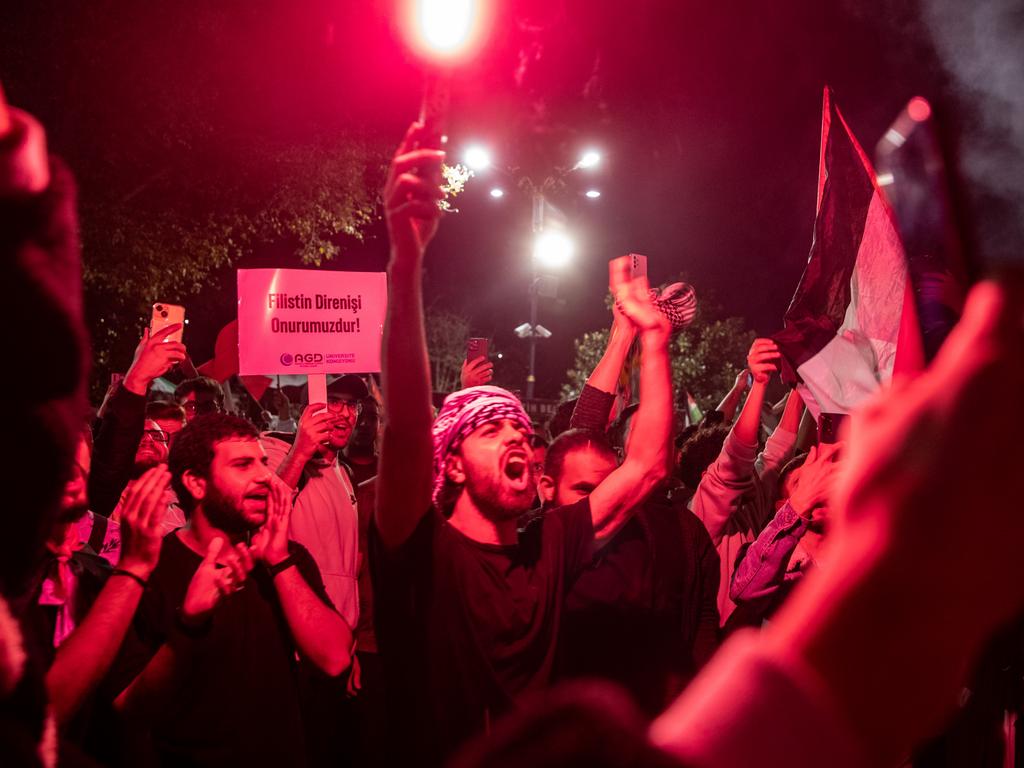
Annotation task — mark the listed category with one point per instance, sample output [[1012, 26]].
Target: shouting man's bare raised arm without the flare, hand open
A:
[[647, 462]]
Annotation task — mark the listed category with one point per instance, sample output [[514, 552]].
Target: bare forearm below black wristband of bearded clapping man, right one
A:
[[321, 634]]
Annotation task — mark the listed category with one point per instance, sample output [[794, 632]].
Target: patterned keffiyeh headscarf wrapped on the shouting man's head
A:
[[465, 411]]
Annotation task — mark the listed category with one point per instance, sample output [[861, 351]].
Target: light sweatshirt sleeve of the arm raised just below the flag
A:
[[728, 480]]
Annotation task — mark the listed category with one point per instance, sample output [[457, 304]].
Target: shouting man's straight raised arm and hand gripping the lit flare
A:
[[407, 449]]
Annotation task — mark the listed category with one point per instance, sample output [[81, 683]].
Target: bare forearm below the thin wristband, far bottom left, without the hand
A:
[[87, 656]]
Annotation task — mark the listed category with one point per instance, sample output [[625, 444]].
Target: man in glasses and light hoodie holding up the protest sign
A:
[[324, 518]]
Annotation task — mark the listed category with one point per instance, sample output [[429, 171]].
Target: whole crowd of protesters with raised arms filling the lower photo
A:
[[379, 583]]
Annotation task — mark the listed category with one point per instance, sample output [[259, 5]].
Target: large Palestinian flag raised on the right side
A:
[[842, 329]]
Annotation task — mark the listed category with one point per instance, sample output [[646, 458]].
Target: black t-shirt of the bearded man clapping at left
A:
[[237, 699]]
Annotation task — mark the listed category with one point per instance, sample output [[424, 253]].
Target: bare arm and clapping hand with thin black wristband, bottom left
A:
[[86, 658]]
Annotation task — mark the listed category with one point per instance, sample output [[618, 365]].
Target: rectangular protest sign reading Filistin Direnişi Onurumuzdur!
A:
[[311, 321]]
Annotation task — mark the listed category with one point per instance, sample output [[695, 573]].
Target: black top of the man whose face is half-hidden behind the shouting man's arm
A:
[[644, 612]]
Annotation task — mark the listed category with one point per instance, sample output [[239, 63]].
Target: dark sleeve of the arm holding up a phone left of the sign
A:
[[114, 455]]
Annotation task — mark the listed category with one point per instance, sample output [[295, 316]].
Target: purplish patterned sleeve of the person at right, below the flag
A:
[[762, 572]]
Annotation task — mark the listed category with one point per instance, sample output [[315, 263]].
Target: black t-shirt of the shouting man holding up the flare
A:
[[466, 627]]
